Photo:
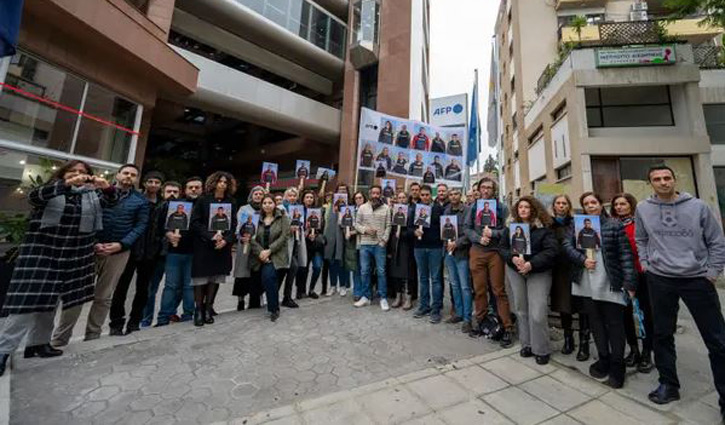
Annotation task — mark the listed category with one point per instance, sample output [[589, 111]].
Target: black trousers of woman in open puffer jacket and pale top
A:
[[607, 323]]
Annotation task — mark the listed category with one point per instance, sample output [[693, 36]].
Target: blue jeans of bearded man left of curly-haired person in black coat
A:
[[178, 280]]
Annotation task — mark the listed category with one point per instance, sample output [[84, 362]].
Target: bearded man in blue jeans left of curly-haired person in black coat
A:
[[177, 286]]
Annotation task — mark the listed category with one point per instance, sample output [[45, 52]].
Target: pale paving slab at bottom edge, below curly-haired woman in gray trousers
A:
[[520, 406]]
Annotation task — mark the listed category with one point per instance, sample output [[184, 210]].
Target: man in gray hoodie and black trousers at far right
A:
[[682, 250]]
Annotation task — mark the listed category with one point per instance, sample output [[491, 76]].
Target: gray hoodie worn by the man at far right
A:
[[679, 239]]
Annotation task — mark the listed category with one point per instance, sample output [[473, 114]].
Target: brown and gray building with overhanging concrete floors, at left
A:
[[190, 86]]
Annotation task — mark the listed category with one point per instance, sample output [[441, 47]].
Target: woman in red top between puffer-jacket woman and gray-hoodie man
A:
[[623, 207]]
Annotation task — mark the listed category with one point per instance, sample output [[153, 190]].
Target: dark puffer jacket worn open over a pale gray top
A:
[[616, 252]]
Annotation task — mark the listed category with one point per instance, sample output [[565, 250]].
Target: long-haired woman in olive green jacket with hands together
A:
[[269, 250]]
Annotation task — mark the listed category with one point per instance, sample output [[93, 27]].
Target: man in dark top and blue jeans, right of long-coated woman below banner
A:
[[428, 251]]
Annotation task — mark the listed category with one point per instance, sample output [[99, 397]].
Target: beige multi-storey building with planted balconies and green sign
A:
[[569, 117]]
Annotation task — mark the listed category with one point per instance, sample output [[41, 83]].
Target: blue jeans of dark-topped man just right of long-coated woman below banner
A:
[[429, 262]]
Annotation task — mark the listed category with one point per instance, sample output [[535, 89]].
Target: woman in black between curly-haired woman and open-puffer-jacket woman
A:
[[562, 301]]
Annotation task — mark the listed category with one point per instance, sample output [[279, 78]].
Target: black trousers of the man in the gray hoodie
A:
[[701, 299]]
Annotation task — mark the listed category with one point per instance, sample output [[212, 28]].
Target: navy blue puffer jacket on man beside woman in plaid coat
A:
[[126, 221]]
